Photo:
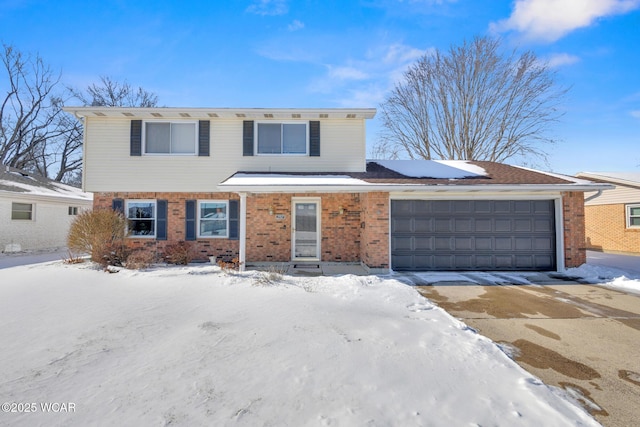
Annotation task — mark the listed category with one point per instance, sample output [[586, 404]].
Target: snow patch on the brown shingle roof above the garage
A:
[[443, 169]]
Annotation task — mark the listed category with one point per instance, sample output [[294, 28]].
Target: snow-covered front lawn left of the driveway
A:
[[196, 346]]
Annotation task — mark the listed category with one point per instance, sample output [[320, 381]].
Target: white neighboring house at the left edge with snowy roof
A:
[[36, 212]]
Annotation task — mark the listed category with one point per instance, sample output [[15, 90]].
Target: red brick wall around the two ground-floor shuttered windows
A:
[[220, 248]]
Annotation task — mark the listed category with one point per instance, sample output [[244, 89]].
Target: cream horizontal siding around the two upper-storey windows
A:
[[109, 166]]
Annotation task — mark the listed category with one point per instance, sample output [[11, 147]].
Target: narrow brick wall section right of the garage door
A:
[[574, 229]]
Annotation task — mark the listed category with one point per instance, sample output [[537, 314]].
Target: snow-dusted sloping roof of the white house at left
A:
[[20, 183]]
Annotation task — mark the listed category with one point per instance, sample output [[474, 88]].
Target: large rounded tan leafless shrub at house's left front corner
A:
[[99, 233]]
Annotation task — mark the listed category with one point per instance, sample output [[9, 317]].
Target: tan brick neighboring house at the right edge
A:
[[613, 218]]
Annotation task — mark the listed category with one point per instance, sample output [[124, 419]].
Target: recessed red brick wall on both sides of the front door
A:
[[269, 238]]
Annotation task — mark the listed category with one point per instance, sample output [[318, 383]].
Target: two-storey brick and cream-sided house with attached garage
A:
[[293, 185]]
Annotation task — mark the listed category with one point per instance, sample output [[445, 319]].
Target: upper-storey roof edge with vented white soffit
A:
[[223, 113]]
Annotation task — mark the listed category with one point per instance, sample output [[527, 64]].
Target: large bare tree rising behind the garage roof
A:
[[473, 103]]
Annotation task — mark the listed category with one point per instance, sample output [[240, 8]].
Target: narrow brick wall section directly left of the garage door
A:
[[375, 234]]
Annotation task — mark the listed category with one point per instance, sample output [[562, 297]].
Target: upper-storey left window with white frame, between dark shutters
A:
[[170, 138]]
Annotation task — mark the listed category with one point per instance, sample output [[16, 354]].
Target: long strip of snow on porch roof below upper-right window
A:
[[257, 179]]
